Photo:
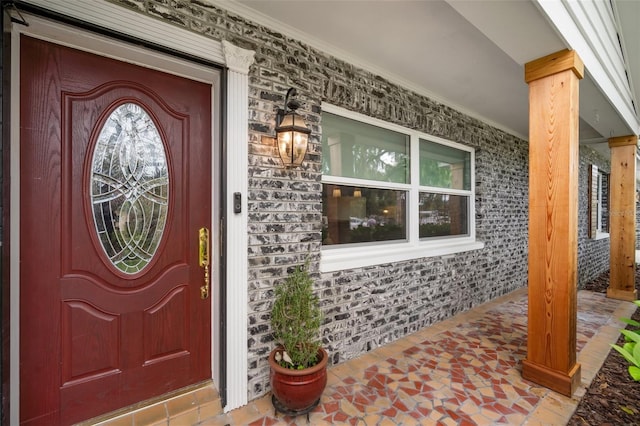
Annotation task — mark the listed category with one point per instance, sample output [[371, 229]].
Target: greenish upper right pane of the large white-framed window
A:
[[444, 167]]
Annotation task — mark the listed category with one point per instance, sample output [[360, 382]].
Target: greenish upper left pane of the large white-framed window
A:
[[358, 150]]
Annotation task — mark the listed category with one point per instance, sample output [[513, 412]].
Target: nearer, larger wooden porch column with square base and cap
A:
[[553, 221]]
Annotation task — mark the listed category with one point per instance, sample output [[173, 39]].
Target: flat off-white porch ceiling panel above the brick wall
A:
[[424, 46]]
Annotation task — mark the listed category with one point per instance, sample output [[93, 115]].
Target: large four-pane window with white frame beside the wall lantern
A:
[[386, 187]]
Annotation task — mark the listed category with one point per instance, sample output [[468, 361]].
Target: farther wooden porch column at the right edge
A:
[[622, 218]]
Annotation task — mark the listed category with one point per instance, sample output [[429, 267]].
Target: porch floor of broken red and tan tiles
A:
[[462, 371]]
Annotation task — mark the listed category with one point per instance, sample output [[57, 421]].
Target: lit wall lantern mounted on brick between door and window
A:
[[292, 133]]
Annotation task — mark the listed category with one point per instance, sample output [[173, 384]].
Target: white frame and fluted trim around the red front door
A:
[[238, 62]]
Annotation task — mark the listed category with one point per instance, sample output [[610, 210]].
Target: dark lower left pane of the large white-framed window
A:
[[356, 215]]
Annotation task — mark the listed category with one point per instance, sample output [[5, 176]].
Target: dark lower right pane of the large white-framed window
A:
[[443, 215]]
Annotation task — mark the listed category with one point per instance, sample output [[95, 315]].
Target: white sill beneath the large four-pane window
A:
[[336, 259]]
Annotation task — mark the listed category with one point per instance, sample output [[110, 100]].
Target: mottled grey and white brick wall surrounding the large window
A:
[[364, 307]]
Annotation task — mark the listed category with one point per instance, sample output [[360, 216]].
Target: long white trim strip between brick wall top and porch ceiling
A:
[[267, 21]]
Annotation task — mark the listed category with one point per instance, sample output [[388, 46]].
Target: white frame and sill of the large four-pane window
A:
[[338, 257]]
